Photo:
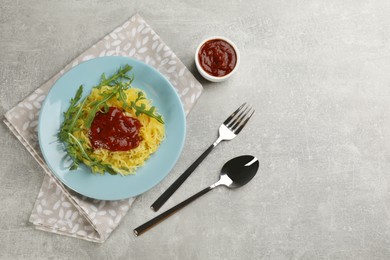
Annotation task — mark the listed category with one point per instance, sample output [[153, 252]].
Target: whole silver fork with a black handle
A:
[[229, 129]]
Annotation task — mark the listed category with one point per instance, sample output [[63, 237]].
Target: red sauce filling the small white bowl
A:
[[217, 57]]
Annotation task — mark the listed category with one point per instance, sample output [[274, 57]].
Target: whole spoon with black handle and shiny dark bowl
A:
[[235, 173]]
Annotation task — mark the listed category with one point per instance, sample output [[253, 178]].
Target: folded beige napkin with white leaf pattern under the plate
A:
[[57, 208]]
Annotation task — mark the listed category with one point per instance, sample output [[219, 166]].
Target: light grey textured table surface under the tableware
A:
[[318, 75]]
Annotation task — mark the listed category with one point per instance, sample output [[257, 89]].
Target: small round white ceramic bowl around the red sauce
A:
[[207, 75]]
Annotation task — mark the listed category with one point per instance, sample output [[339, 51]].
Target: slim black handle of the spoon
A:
[[151, 223]]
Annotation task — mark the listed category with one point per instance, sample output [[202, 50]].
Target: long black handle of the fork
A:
[[174, 186]]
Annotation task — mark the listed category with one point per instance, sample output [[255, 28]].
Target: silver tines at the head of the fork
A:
[[238, 119]]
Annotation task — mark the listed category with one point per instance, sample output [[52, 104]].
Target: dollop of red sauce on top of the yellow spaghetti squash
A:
[[115, 131]]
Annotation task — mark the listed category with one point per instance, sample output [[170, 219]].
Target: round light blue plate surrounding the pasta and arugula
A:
[[111, 187]]
